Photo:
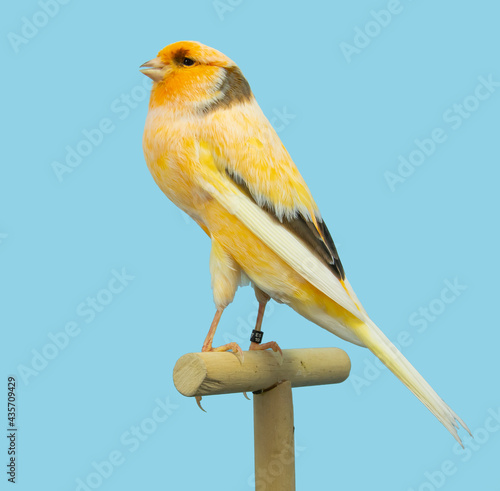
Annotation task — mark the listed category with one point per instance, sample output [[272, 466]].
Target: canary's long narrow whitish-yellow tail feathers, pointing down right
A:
[[377, 342]]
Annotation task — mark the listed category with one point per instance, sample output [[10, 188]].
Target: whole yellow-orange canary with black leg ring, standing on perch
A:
[[215, 155]]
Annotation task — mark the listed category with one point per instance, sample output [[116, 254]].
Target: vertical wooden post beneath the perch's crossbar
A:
[[274, 440]]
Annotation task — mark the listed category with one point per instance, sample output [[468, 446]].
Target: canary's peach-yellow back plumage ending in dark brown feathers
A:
[[254, 158]]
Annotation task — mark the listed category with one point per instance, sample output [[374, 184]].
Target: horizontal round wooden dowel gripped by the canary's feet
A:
[[201, 374]]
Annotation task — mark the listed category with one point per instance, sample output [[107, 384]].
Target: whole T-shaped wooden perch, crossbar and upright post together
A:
[[204, 374]]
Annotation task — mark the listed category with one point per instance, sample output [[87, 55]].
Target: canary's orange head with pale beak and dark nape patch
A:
[[190, 74]]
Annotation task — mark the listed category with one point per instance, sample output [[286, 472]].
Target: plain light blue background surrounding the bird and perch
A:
[[60, 242]]
